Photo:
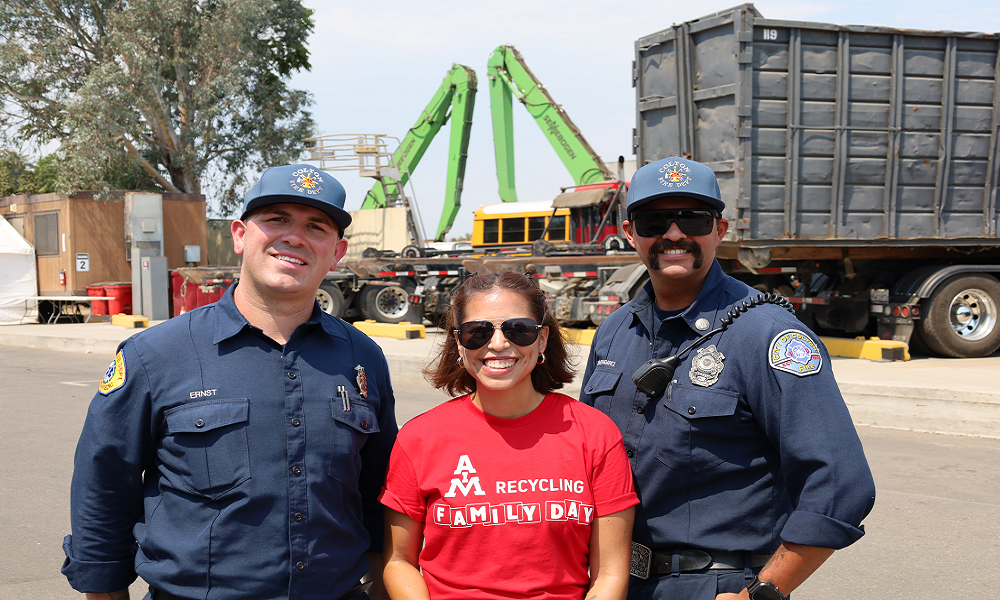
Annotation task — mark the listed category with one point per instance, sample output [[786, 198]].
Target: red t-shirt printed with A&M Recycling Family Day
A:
[[507, 503]]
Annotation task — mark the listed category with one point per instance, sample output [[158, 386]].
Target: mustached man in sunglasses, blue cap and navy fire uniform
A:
[[748, 467]]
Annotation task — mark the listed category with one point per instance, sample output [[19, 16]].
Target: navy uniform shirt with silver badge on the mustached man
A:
[[763, 454]]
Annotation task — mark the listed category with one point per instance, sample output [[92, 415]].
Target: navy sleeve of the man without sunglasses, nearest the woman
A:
[[375, 459]]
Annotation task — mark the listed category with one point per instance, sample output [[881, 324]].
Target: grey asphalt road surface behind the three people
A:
[[934, 531]]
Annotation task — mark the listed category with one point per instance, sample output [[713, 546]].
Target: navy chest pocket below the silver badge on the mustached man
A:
[[701, 428]]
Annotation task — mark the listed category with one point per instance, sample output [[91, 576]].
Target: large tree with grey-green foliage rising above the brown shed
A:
[[178, 89]]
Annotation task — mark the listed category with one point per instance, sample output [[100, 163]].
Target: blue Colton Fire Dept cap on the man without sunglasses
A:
[[299, 184]]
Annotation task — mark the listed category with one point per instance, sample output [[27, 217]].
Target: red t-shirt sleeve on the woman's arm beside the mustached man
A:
[[611, 478]]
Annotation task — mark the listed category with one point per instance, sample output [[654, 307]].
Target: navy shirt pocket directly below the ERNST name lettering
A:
[[206, 449]]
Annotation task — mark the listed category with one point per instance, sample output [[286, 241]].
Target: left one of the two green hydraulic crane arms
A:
[[458, 93]]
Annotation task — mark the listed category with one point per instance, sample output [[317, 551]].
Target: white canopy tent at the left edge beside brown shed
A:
[[18, 274]]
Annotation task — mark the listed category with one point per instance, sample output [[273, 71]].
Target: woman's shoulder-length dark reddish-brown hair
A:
[[446, 373]]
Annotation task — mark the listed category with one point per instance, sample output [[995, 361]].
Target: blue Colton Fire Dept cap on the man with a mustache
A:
[[674, 176]]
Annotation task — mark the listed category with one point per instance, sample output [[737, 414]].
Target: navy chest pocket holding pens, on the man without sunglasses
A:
[[351, 430]]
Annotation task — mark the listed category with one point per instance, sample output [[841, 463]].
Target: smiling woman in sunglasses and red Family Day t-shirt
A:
[[509, 490]]
